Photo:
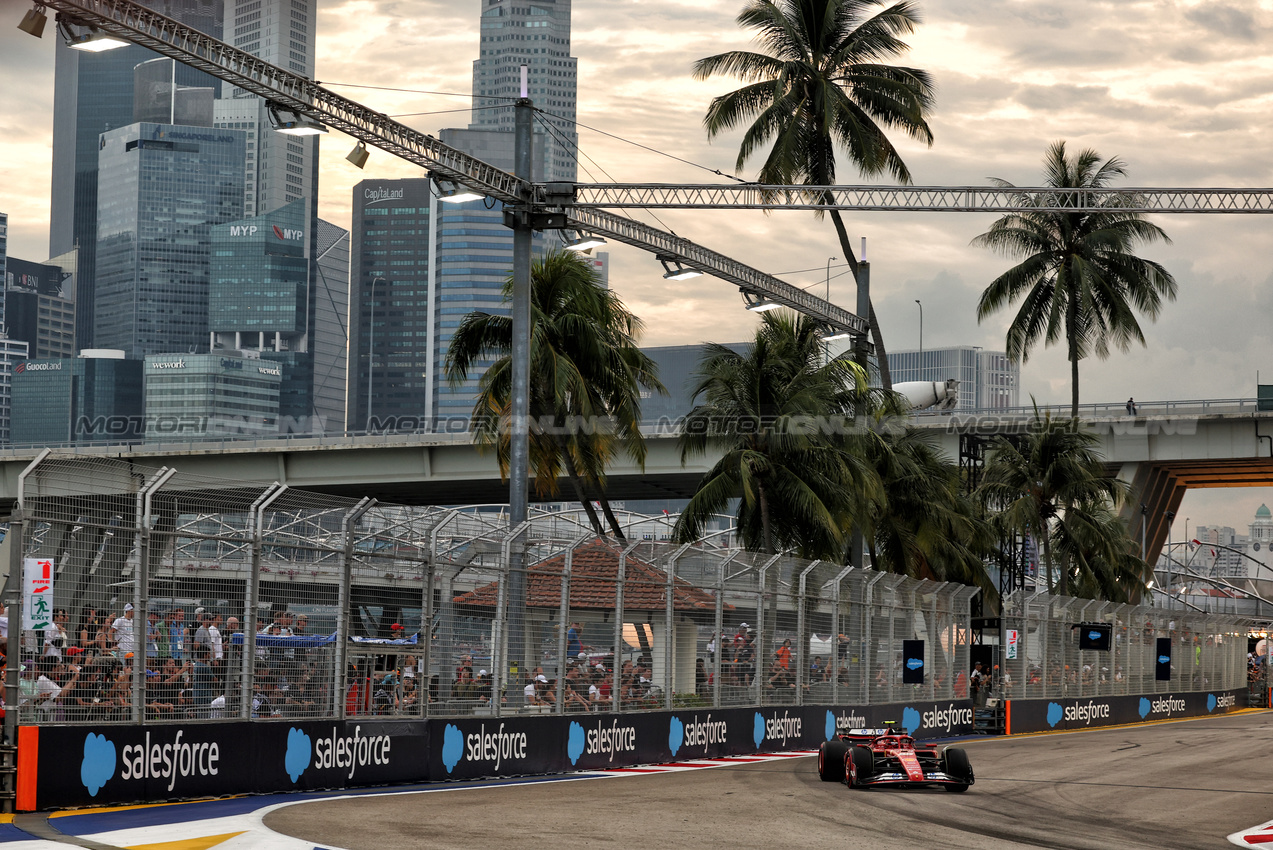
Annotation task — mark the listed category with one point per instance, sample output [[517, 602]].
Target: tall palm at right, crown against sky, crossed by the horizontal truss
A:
[[1078, 277]]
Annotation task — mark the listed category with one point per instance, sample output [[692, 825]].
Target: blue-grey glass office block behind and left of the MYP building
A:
[[161, 192]]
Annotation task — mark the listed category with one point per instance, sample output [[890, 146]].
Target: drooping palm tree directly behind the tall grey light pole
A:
[[587, 375]]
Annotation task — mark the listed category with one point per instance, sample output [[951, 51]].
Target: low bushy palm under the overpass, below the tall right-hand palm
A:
[[1052, 487]]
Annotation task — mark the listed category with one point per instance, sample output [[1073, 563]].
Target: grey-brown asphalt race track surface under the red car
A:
[[1172, 786]]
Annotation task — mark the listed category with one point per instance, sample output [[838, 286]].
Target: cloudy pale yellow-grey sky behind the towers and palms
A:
[[1179, 90]]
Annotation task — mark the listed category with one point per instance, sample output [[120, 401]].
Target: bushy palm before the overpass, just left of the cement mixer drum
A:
[[780, 415]]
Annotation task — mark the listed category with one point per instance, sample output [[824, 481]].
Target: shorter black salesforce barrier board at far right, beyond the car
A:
[[1084, 713]]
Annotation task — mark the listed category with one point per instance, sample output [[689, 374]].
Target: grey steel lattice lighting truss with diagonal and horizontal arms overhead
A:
[[582, 203]]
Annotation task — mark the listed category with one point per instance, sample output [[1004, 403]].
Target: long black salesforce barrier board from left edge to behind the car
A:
[[113, 765]]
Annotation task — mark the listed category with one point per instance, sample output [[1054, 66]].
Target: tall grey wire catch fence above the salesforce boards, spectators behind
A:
[[190, 599]]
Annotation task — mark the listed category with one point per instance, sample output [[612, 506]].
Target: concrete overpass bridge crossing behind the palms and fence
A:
[[1164, 451]]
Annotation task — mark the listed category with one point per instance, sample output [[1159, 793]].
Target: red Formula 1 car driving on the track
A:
[[866, 758]]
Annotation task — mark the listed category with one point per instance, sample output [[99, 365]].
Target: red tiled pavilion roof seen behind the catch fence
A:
[[594, 576]]
